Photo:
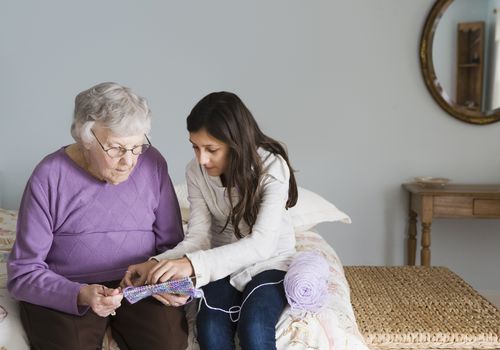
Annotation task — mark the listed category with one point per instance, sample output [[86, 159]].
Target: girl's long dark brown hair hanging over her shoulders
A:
[[224, 116]]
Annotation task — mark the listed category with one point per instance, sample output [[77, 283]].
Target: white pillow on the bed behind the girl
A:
[[310, 210]]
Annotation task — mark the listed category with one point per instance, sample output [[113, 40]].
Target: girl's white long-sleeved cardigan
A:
[[215, 254]]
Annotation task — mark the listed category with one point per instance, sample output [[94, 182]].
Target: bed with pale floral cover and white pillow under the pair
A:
[[334, 327]]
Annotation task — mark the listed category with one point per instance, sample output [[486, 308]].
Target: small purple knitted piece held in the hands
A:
[[182, 286]]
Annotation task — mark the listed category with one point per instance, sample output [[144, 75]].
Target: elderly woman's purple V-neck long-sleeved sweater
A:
[[74, 229]]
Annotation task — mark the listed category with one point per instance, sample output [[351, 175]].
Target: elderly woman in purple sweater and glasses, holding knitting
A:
[[89, 210]]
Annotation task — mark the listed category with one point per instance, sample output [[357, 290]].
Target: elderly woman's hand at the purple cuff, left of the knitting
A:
[[102, 300]]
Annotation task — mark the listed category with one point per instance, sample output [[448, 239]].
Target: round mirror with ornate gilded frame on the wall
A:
[[460, 58]]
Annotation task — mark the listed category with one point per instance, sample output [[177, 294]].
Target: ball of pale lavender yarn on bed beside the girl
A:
[[306, 282]]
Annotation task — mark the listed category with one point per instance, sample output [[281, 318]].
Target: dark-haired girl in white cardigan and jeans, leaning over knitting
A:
[[240, 234]]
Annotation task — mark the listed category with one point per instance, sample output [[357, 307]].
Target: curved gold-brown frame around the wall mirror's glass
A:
[[427, 65]]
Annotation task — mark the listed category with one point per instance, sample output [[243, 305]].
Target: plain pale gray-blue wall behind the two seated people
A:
[[338, 81]]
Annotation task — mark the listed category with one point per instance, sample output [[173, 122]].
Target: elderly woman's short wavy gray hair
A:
[[113, 106]]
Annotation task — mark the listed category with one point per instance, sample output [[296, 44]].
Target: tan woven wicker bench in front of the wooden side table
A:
[[414, 307]]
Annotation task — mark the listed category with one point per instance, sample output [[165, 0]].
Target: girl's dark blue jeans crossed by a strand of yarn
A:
[[258, 317]]
